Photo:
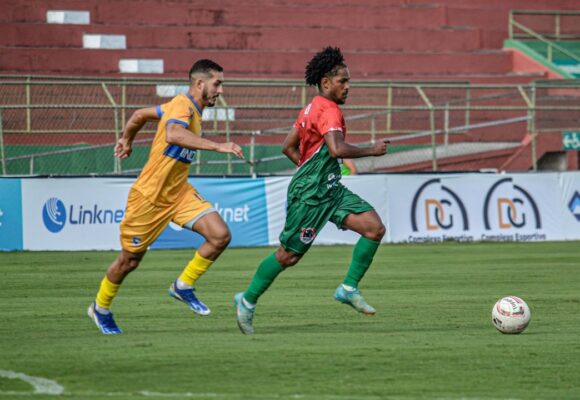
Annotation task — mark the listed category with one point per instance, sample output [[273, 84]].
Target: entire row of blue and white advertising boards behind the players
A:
[[84, 213]]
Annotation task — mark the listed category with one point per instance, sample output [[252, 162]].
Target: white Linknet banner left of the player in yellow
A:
[[73, 213]]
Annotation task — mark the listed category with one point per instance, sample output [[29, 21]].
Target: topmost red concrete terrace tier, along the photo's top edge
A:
[[353, 15]]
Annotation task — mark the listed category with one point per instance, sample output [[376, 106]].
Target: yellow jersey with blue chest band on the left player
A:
[[164, 177]]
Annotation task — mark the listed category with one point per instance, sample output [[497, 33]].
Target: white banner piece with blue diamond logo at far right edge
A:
[[570, 204]]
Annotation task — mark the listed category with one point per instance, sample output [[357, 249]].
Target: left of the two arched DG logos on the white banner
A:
[[439, 205]]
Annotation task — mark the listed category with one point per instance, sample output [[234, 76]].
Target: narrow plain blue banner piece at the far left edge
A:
[[10, 214]]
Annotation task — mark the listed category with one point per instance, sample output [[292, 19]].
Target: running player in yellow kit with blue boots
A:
[[161, 193]]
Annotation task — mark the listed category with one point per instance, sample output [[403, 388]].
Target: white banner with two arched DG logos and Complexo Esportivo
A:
[[470, 207]]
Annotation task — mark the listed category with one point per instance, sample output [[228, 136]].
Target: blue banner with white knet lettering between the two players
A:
[[241, 202]]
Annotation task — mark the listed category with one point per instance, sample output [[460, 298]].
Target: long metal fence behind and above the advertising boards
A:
[[68, 126]]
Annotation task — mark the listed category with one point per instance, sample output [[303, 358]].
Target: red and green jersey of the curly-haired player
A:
[[318, 177]]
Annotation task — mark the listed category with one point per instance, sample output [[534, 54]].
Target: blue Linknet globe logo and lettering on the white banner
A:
[[55, 215]]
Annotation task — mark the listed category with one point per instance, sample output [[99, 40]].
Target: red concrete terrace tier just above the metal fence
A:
[[252, 63]]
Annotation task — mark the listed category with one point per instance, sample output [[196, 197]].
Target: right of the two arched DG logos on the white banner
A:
[[513, 207]]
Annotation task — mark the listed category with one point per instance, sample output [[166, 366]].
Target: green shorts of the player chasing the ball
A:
[[305, 221]]
